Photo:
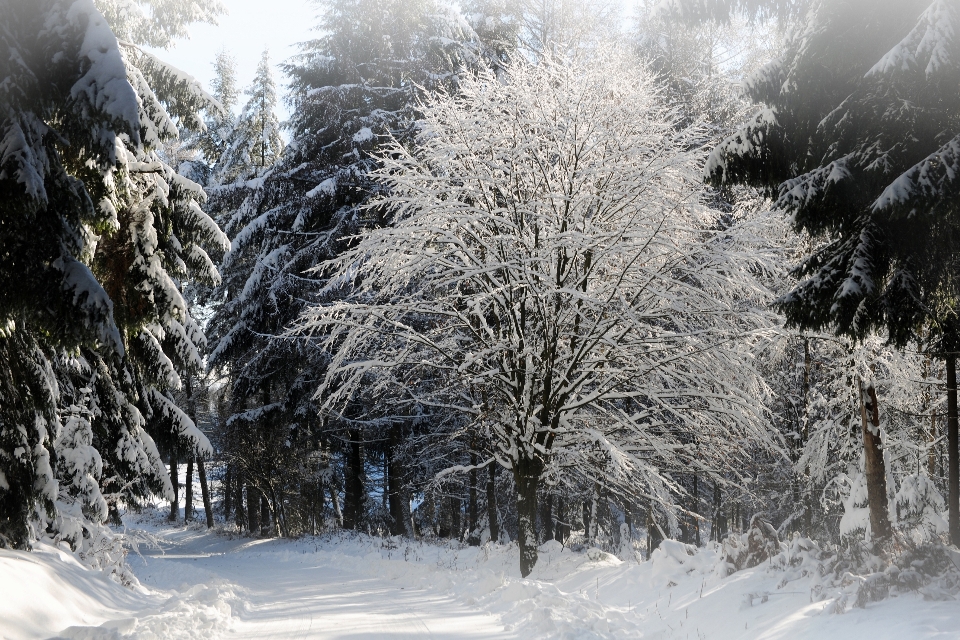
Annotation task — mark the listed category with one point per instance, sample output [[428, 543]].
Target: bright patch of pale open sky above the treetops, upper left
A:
[[248, 28]]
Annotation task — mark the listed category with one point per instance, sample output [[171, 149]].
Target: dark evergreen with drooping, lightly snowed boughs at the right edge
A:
[[857, 142]]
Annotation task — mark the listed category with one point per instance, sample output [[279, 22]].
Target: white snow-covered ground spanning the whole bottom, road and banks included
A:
[[204, 585]]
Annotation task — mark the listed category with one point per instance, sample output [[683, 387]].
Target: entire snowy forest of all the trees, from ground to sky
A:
[[517, 271]]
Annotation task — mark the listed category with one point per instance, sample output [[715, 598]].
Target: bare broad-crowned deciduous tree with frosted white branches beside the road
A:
[[546, 245]]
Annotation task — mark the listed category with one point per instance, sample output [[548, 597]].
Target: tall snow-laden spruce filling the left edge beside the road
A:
[[100, 233]]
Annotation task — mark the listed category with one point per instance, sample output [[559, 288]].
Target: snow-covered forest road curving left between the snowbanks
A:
[[278, 590]]
